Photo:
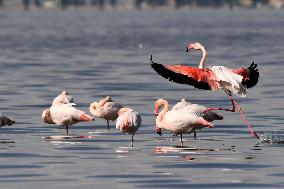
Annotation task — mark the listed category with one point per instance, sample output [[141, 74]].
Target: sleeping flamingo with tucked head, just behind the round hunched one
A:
[[106, 109]]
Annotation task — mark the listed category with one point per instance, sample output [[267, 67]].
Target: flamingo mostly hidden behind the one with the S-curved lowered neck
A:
[[198, 110]]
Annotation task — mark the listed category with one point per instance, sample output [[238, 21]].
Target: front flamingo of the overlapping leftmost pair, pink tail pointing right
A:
[[64, 114]]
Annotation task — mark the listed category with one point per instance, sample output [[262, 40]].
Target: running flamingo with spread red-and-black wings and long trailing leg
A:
[[234, 81]]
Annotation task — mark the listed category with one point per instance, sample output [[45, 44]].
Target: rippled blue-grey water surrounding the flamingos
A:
[[93, 54]]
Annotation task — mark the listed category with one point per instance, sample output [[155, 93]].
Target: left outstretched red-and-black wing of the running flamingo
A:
[[199, 78]]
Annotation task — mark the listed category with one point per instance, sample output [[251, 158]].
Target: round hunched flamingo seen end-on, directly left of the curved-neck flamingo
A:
[[128, 121]]
